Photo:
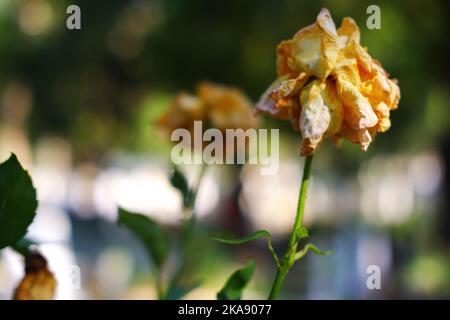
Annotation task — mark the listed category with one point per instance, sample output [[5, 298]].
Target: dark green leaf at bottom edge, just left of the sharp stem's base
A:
[[237, 282]]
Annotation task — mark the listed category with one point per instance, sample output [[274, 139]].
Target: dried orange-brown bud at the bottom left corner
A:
[[38, 282]]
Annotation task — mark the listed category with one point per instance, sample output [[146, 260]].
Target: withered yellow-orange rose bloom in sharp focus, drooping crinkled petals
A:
[[329, 86]]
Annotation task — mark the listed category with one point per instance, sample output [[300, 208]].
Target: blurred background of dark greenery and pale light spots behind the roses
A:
[[77, 108]]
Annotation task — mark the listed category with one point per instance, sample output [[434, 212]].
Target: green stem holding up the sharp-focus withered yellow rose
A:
[[289, 257]]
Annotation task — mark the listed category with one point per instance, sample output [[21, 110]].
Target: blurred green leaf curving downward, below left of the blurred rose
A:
[[153, 237]]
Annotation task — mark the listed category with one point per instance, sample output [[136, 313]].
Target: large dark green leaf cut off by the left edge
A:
[[17, 202]]
